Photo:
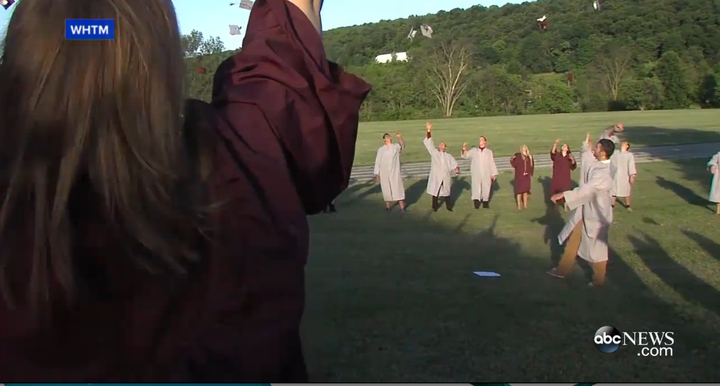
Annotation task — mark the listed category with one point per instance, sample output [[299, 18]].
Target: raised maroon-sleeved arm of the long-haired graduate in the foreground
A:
[[287, 105]]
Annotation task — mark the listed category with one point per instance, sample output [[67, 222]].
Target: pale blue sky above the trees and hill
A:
[[212, 17]]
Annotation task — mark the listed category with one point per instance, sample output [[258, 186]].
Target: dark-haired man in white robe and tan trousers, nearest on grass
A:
[[586, 232]]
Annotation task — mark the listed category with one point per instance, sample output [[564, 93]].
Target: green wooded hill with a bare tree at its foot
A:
[[632, 54]]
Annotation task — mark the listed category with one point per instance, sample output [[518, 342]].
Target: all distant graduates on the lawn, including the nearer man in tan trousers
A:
[[606, 174]]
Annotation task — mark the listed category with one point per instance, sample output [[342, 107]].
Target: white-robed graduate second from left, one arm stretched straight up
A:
[[442, 167]]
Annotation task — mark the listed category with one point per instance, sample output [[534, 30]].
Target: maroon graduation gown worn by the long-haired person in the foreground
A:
[[287, 121]]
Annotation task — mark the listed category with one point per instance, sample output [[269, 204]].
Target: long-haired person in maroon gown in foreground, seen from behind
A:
[[145, 239]]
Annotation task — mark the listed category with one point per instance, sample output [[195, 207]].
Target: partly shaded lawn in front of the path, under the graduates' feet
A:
[[391, 296]]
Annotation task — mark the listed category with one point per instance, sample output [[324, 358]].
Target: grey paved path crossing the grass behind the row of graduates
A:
[[361, 174]]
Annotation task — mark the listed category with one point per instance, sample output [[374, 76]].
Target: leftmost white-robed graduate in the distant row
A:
[[388, 173]]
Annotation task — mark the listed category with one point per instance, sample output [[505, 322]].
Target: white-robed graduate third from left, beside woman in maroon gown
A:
[[483, 172]]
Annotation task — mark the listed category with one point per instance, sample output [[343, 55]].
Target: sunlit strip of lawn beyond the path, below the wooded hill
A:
[[506, 134]]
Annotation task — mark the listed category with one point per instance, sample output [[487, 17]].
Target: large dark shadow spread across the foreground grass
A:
[[393, 299]]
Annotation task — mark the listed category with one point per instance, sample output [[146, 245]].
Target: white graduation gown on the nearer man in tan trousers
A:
[[591, 205]]
